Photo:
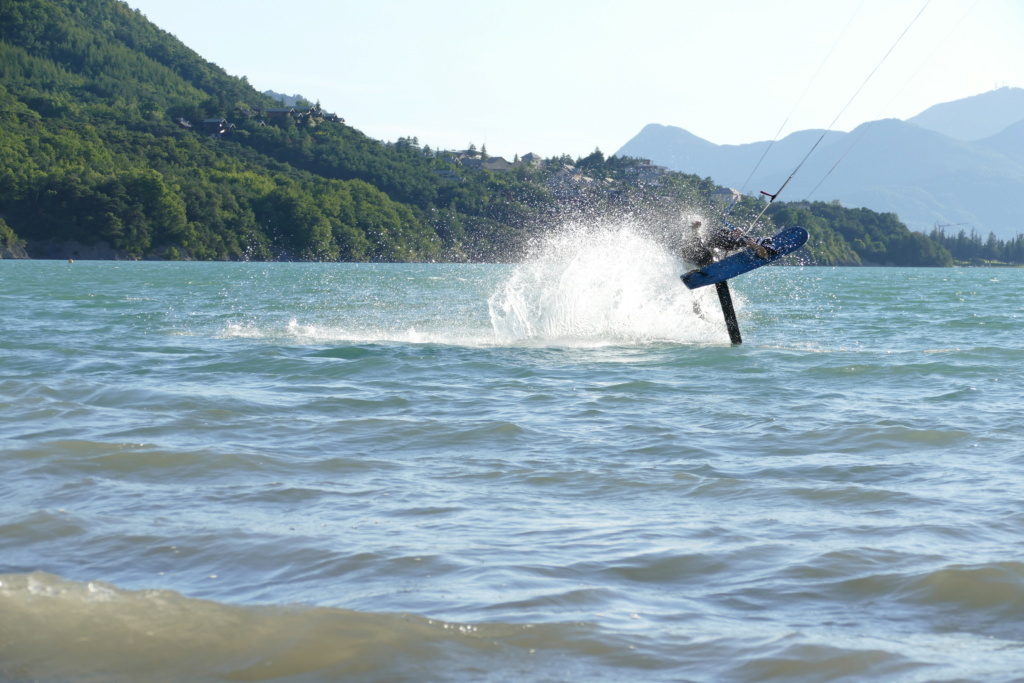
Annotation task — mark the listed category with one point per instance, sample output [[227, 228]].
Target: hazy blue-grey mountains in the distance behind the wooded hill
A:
[[959, 165]]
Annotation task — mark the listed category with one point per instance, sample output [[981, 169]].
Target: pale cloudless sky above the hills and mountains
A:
[[568, 76]]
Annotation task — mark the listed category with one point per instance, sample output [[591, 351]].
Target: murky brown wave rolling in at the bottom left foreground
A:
[[58, 630]]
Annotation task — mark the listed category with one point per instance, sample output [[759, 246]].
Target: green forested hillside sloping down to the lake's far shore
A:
[[113, 133]]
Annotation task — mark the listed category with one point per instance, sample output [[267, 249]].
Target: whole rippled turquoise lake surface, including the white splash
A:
[[553, 472]]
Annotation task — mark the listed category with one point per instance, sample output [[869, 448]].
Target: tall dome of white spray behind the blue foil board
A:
[[604, 284]]
